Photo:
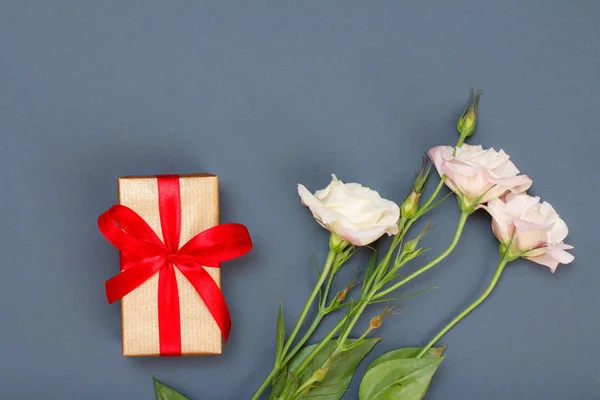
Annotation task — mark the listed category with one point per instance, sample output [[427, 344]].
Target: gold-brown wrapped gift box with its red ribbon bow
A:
[[171, 303]]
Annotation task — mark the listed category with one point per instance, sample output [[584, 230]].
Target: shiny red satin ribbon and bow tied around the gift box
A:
[[143, 254]]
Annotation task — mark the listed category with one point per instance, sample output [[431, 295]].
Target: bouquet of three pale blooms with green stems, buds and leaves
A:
[[482, 180]]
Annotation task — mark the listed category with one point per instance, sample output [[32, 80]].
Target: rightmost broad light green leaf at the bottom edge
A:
[[399, 375]]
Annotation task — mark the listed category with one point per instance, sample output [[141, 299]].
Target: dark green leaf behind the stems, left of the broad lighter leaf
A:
[[339, 370]]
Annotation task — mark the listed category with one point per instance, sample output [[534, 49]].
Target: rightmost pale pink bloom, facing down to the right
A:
[[538, 230]]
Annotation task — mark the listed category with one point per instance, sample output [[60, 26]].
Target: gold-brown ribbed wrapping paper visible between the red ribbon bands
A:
[[139, 309]]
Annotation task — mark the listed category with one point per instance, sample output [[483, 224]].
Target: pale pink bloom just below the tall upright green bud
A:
[[476, 175]]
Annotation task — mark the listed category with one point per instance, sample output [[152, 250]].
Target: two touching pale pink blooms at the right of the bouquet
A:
[[532, 229]]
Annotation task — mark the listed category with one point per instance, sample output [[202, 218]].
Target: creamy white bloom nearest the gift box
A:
[[355, 213]]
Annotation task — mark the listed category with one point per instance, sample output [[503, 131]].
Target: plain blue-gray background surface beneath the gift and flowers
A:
[[271, 94]]
